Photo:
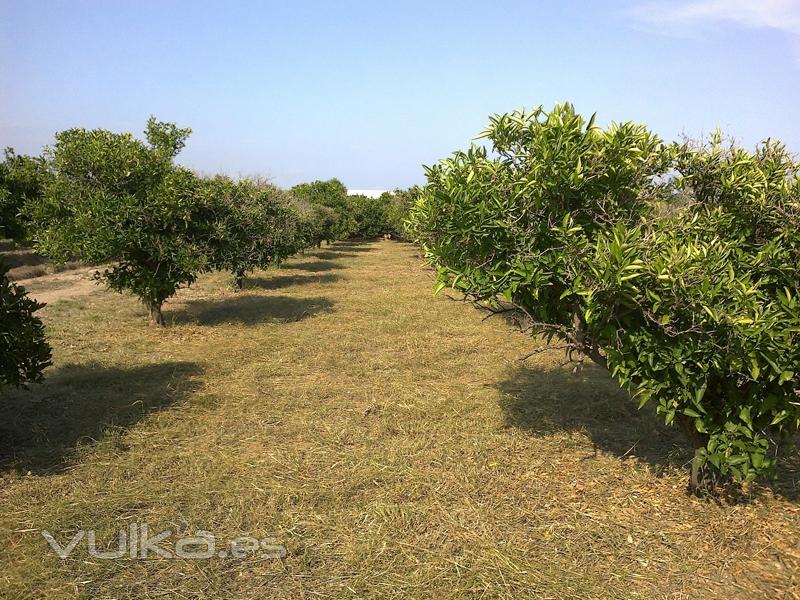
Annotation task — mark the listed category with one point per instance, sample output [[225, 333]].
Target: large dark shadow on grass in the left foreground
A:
[[42, 427]]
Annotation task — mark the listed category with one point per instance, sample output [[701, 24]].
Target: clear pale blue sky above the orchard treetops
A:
[[369, 91]]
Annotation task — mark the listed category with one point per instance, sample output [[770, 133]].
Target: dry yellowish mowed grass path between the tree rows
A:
[[390, 439]]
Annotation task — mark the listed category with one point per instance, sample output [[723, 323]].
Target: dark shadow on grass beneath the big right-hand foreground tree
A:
[[546, 401]]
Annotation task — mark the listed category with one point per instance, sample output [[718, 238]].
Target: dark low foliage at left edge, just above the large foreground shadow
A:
[[24, 352]]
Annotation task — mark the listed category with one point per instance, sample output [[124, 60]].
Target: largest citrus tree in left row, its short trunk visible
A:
[[112, 198]]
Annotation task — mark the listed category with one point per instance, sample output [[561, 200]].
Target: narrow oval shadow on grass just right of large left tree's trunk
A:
[[250, 310]]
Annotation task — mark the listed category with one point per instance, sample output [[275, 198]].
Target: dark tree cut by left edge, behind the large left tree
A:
[[21, 181]]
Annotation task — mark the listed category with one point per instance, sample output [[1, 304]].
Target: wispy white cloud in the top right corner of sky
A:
[[782, 15]]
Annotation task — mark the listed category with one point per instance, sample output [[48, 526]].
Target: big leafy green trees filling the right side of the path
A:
[[675, 266]]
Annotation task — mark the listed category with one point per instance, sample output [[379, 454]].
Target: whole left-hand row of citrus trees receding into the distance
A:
[[110, 198]]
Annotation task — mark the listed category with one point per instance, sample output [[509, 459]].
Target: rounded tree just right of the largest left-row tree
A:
[[254, 225]]
